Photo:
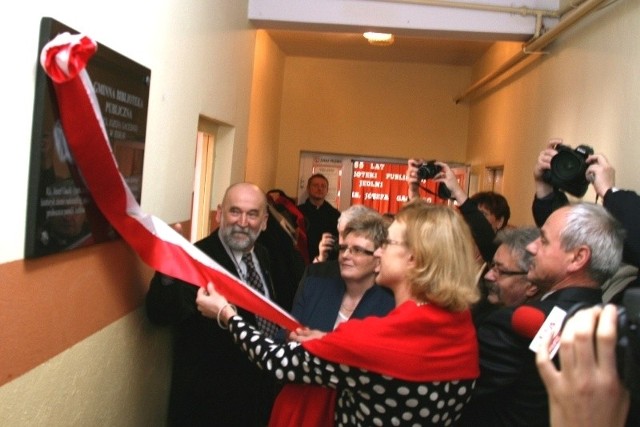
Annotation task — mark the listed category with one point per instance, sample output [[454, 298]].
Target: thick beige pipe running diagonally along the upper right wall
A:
[[533, 46]]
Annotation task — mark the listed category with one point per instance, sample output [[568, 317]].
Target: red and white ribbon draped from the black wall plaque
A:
[[64, 60]]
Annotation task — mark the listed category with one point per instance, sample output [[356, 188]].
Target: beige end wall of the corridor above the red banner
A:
[[369, 109]]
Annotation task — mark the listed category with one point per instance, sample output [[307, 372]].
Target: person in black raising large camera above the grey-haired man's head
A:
[[624, 205]]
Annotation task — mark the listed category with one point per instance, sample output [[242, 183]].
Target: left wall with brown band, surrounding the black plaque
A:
[[76, 349]]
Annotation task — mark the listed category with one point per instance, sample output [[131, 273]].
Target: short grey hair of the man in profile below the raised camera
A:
[[592, 225]]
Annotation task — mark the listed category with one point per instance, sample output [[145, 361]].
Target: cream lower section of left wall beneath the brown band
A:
[[116, 377]]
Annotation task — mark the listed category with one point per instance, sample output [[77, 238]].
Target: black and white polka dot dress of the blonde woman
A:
[[364, 398]]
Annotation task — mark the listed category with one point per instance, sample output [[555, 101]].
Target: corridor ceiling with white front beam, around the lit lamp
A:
[[424, 33]]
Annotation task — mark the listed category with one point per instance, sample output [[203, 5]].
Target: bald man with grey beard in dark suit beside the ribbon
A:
[[213, 383]]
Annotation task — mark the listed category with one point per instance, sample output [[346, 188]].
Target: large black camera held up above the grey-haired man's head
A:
[[568, 168]]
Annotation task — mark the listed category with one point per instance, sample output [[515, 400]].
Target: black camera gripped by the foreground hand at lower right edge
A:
[[628, 339]]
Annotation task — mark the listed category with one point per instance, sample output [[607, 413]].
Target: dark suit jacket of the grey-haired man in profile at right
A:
[[509, 391]]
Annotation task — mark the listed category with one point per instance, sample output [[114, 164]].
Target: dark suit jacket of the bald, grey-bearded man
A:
[[213, 383]]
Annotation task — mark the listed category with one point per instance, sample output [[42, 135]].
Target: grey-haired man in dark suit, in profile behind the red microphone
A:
[[580, 247]]
